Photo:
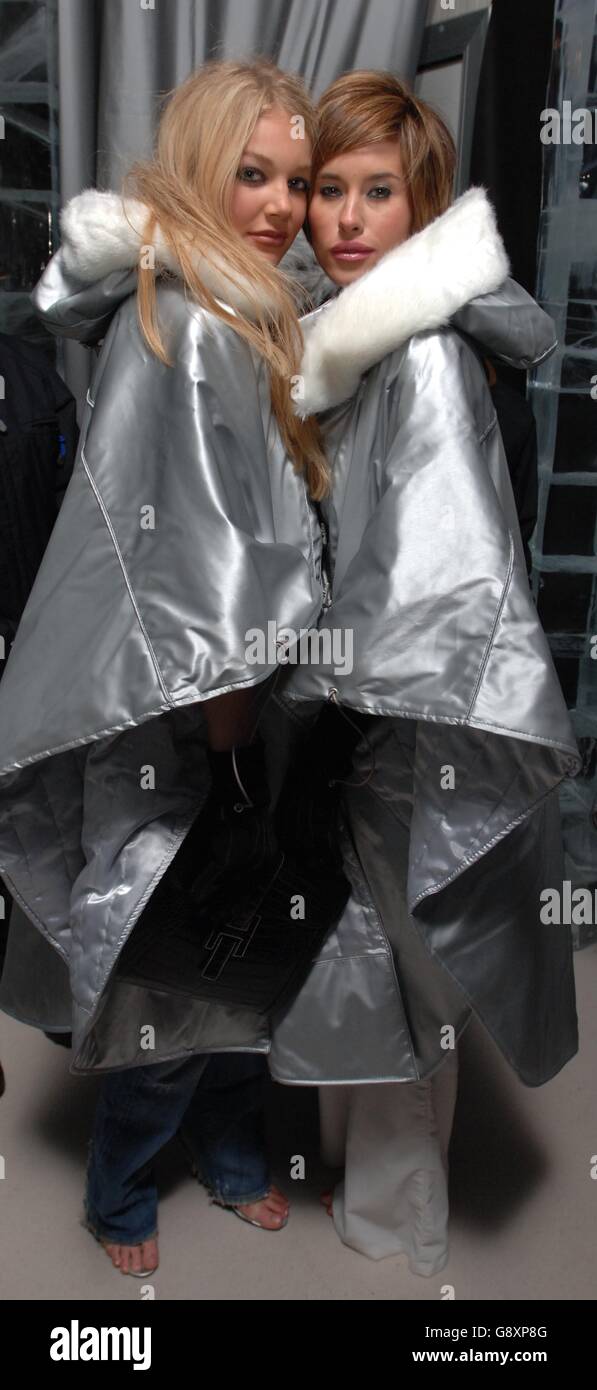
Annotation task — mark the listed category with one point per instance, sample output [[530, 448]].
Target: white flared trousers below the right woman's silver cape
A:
[[393, 1140]]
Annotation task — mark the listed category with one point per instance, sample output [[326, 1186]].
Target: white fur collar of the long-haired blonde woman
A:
[[102, 233]]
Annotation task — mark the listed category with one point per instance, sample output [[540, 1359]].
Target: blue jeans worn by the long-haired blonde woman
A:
[[215, 1103]]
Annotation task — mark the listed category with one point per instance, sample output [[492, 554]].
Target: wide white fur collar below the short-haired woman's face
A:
[[417, 287]]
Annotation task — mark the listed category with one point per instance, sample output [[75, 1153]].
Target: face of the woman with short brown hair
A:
[[360, 211]]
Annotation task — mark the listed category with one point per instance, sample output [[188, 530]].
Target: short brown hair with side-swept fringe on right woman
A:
[[368, 106]]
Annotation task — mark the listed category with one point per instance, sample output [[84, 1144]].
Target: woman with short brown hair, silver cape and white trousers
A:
[[461, 730]]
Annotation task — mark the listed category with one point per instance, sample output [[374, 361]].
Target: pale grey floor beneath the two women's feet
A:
[[523, 1196]]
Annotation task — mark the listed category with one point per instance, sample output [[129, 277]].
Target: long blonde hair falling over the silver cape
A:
[[187, 187]]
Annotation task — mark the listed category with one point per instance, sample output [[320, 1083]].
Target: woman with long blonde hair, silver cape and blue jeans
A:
[[189, 522]]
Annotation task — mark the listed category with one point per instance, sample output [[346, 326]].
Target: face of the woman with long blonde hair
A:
[[271, 193]]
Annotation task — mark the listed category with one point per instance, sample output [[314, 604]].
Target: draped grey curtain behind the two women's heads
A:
[[119, 58]]
